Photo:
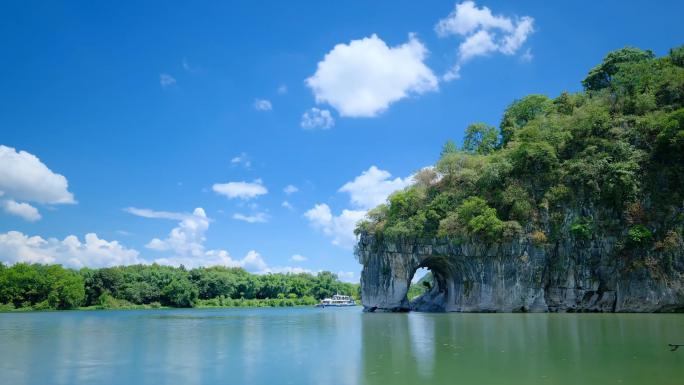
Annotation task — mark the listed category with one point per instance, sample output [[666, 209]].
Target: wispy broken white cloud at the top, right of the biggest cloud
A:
[[483, 33]]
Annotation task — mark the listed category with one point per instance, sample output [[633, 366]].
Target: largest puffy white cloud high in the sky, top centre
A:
[[362, 78]]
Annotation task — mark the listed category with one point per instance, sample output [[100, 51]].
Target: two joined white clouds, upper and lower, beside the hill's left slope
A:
[[366, 191]]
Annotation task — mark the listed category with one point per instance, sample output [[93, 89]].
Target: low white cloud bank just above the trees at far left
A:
[[71, 252]]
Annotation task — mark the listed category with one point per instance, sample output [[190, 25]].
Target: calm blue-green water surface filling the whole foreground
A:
[[337, 346]]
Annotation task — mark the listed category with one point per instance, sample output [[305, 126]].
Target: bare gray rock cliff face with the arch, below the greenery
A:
[[515, 276]]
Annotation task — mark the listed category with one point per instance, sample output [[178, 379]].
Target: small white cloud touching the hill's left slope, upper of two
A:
[[372, 187]]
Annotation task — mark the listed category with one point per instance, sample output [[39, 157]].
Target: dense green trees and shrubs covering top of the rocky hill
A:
[[605, 161]]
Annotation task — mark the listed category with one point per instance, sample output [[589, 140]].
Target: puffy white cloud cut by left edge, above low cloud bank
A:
[[24, 178]]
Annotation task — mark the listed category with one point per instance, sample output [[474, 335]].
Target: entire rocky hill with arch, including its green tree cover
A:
[[573, 204]]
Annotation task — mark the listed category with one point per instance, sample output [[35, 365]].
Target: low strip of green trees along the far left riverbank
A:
[[44, 287]]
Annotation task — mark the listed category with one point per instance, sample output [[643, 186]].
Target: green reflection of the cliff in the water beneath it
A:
[[414, 348]]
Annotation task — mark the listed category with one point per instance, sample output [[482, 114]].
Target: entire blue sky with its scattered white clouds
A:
[[150, 111]]
